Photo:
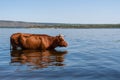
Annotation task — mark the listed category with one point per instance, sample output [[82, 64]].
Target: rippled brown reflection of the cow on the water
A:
[[38, 59]]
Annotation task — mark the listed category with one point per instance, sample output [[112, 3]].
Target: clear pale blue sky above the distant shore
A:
[[61, 11]]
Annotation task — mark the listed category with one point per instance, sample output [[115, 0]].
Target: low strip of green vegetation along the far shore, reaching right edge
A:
[[78, 26]]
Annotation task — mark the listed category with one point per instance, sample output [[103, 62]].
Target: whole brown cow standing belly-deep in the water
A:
[[36, 41]]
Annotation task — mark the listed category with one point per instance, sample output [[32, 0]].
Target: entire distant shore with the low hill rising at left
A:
[[20, 24]]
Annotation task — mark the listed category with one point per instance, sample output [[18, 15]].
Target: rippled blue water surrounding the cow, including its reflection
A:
[[92, 54]]
